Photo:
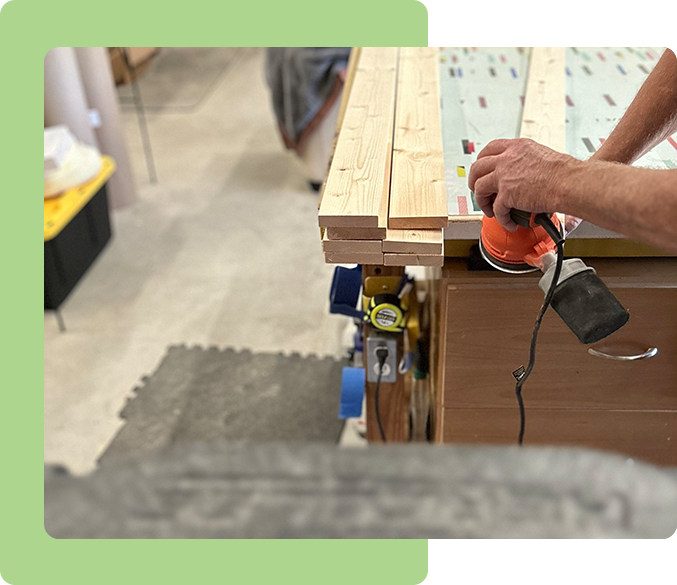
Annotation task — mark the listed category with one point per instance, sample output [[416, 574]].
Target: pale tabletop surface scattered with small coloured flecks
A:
[[482, 92]]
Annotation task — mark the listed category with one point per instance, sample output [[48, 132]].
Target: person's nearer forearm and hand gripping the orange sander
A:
[[522, 174]]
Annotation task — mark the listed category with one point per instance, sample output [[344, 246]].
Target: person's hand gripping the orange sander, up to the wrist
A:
[[519, 174]]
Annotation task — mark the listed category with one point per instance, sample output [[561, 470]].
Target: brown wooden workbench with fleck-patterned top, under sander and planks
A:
[[480, 322]]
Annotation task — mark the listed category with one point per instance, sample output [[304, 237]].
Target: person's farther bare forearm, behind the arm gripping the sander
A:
[[650, 119]]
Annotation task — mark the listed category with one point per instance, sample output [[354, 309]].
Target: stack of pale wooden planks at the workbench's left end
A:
[[384, 201]]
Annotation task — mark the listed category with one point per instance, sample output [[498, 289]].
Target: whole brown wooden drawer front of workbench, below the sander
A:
[[571, 397]]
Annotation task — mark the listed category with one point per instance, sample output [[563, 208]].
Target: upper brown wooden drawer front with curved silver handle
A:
[[488, 337]]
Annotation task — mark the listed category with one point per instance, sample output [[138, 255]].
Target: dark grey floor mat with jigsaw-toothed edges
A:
[[202, 395]]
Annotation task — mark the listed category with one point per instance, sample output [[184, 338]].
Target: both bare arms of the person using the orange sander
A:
[[523, 174]]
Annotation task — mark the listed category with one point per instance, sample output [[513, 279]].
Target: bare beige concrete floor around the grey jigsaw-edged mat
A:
[[223, 250]]
